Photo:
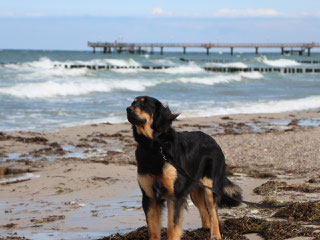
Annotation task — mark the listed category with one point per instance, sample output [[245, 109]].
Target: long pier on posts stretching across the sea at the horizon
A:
[[285, 48]]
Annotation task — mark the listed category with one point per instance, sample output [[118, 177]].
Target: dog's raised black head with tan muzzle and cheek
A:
[[149, 116]]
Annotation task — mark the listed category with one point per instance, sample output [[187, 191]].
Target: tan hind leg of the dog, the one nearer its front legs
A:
[[199, 200]]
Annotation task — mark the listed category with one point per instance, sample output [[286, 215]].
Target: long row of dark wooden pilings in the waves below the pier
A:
[[209, 69]]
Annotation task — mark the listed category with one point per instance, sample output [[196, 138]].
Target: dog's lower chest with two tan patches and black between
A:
[[159, 186]]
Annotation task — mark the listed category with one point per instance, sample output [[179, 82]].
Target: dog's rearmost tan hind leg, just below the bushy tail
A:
[[212, 208]]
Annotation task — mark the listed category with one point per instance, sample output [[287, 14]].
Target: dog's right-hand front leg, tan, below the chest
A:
[[175, 212]]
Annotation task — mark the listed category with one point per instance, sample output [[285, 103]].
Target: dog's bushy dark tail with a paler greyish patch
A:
[[231, 195]]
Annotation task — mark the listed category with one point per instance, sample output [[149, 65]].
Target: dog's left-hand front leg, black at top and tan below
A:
[[152, 210]]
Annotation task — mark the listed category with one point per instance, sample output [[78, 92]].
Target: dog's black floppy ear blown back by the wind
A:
[[163, 118]]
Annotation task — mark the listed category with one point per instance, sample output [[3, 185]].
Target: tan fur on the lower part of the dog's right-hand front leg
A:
[[174, 230]]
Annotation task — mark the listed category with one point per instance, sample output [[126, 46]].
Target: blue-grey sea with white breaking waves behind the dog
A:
[[38, 93]]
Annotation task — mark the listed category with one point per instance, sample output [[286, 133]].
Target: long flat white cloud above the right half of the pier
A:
[[226, 12]]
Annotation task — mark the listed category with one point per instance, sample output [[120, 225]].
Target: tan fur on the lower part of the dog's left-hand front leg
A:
[[154, 221]]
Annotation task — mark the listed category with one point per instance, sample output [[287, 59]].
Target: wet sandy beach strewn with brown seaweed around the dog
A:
[[80, 182]]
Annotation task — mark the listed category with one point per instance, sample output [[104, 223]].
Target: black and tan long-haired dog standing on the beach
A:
[[172, 165]]
